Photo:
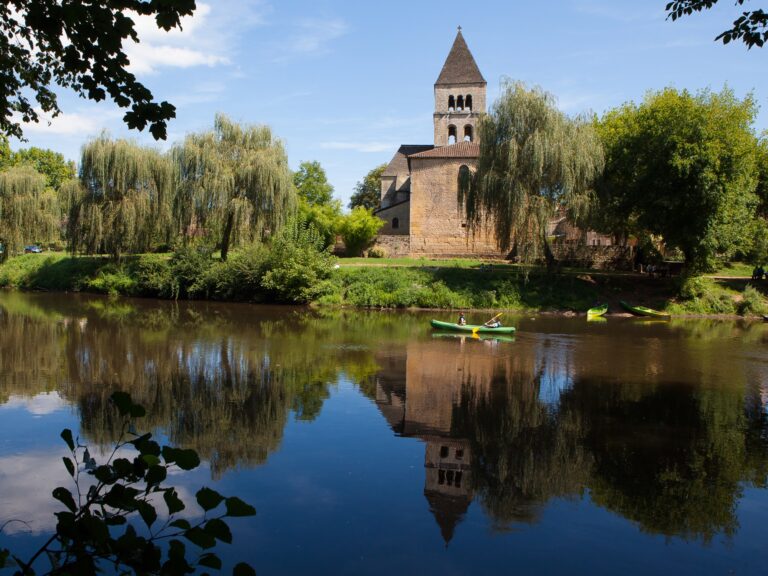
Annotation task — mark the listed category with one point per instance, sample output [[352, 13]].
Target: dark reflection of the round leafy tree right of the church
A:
[[673, 460]]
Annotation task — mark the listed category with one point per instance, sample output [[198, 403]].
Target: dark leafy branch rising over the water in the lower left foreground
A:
[[100, 530]]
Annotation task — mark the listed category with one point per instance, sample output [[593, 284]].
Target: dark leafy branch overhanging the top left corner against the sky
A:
[[78, 44]]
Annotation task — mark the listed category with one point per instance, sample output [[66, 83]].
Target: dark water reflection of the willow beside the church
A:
[[524, 453]]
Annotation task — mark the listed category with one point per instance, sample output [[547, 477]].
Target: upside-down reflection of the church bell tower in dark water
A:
[[447, 486]]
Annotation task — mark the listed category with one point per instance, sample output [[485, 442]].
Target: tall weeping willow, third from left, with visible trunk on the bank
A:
[[234, 184]]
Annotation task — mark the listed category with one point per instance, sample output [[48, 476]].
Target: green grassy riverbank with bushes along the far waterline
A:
[[462, 284]]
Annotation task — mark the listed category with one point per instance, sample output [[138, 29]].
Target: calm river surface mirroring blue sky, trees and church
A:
[[370, 445]]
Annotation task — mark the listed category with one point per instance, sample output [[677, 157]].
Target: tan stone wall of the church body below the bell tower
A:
[[438, 224]]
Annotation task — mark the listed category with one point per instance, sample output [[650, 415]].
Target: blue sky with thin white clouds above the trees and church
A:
[[346, 82]]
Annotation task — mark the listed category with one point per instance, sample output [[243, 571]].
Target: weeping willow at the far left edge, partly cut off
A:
[[29, 210]]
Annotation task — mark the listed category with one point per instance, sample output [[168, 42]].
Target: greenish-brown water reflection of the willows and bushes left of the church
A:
[[218, 379]]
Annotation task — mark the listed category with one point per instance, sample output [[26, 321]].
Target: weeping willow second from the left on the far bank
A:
[[122, 203]]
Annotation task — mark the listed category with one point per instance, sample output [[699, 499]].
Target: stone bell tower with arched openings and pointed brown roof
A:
[[459, 96]]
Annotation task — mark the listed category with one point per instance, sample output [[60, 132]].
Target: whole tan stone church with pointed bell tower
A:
[[419, 187]]
